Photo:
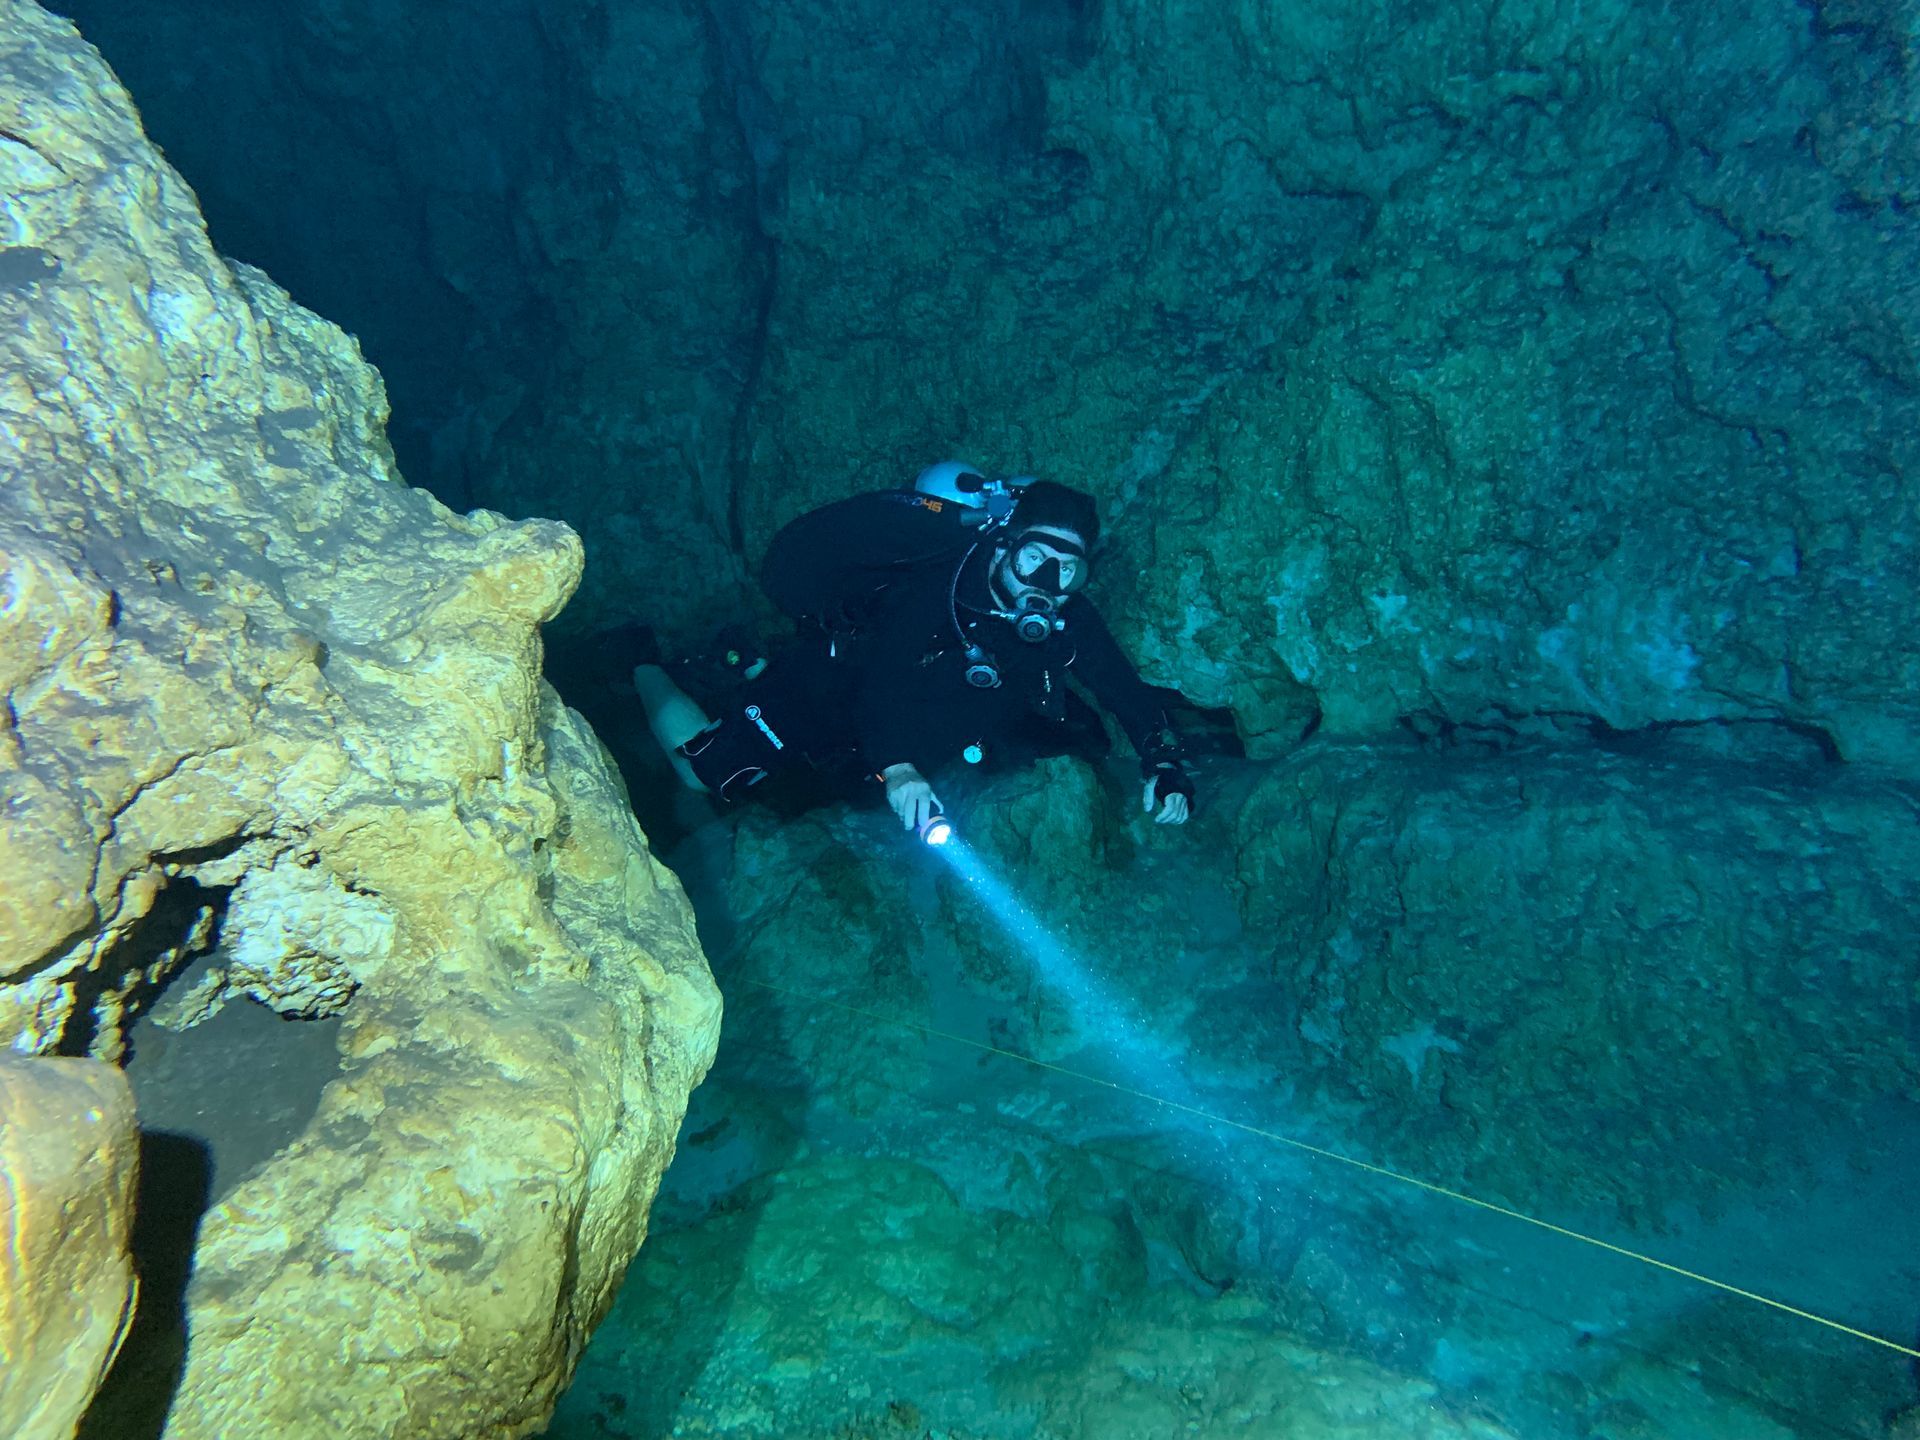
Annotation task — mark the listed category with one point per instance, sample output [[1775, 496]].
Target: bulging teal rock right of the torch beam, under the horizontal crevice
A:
[[1485, 957]]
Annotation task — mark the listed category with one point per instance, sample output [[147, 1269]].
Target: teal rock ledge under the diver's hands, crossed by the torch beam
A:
[[1552, 976]]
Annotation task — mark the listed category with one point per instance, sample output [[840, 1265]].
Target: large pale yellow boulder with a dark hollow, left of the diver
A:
[[264, 696]]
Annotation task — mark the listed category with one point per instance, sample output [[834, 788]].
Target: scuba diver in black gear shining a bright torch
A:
[[936, 625]]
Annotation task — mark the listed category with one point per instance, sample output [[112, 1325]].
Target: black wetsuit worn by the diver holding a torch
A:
[[890, 592]]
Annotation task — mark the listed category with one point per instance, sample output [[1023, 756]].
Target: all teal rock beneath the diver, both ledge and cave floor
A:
[[1662, 997]]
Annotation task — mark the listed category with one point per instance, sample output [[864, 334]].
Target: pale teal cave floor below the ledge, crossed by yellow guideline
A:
[[971, 1245]]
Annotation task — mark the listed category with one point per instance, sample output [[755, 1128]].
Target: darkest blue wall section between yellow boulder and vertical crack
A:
[[548, 243]]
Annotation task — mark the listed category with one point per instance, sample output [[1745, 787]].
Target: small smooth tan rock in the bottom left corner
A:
[[68, 1159]]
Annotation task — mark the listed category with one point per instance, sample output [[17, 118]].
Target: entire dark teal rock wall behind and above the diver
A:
[[1535, 358]]
